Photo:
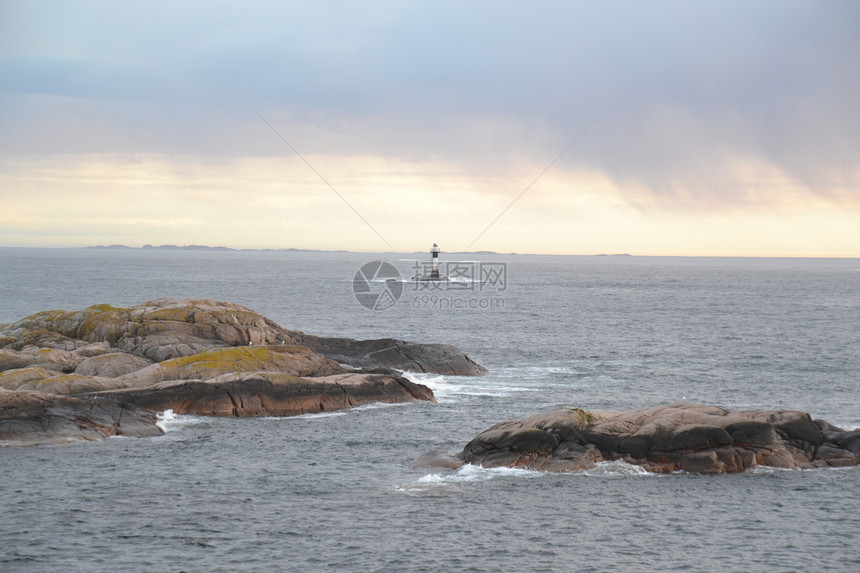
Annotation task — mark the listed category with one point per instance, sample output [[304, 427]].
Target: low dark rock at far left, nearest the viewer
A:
[[29, 418]]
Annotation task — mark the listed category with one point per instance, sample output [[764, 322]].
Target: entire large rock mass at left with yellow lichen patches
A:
[[192, 356]]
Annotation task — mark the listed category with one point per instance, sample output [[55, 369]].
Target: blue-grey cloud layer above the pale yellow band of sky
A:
[[689, 87]]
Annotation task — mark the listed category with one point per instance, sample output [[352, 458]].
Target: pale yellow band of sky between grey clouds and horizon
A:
[[278, 202]]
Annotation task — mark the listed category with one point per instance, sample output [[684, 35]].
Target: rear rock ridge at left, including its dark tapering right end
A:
[[165, 329]]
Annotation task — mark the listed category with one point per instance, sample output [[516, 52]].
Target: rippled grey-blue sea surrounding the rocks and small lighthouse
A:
[[335, 491]]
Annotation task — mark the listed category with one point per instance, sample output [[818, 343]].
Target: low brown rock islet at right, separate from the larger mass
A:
[[678, 437]]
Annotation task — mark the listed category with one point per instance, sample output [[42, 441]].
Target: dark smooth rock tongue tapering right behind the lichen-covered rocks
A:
[[392, 353]]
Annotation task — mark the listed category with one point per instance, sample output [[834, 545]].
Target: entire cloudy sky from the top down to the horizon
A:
[[651, 128]]
